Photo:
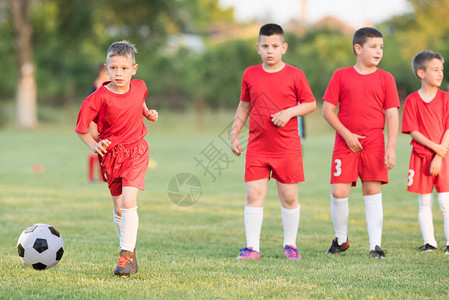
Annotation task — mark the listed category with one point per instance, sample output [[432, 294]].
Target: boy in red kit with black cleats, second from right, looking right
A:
[[365, 95]]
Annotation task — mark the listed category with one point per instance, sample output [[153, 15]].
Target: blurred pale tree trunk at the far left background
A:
[[26, 85]]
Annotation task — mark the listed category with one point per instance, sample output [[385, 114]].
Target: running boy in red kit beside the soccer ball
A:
[[116, 107]]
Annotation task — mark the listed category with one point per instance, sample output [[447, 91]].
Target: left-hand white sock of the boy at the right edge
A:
[[425, 219]]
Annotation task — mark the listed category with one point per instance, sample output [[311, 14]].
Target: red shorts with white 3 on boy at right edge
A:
[[419, 178]]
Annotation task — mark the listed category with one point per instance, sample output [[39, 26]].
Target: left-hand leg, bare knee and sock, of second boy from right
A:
[[340, 210]]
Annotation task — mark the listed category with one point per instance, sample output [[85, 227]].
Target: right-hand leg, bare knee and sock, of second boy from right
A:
[[372, 195]]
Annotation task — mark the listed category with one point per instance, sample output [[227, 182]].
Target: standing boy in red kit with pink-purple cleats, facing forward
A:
[[270, 95]]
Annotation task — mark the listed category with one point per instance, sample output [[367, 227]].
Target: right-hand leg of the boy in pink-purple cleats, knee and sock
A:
[[290, 211]]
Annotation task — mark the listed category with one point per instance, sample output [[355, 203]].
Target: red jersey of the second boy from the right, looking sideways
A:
[[363, 99]]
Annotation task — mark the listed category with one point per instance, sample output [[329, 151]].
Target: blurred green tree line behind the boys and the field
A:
[[69, 38]]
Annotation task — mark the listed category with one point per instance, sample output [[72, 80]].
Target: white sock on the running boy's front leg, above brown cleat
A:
[[130, 223]]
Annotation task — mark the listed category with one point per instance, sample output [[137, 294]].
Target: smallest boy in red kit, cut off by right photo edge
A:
[[426, 119]]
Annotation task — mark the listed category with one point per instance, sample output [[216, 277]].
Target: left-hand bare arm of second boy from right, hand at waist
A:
[[351, 139]]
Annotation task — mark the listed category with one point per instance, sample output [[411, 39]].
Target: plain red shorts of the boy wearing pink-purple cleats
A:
[[283, 169]]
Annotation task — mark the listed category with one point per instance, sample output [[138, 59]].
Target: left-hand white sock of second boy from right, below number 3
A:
[[340, 216]]
